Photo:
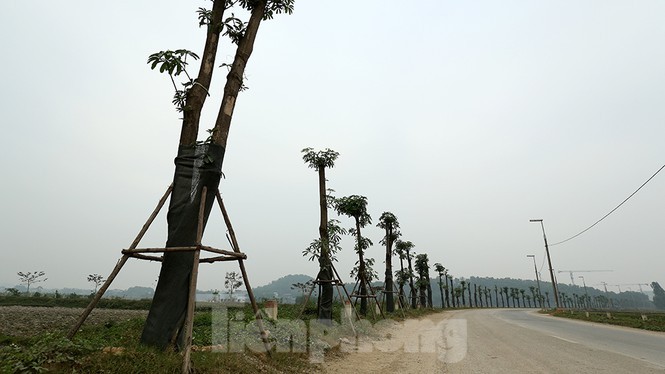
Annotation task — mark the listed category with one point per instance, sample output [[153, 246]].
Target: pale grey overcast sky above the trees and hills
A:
[[465, 119]]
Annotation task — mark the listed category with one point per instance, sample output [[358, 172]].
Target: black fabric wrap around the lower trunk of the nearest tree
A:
[[195, 167]]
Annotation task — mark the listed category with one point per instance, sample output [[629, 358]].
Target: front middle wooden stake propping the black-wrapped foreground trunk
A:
[[191, 303]]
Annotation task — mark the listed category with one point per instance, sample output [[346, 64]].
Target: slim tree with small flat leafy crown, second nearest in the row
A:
[[319, 161]]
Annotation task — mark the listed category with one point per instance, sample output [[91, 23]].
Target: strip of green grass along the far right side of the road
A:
[[653, 322]]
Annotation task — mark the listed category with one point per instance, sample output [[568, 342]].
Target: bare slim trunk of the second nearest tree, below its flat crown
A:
[[325, 263]]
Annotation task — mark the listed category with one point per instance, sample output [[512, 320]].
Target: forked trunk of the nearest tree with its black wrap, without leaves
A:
[[196, 166]]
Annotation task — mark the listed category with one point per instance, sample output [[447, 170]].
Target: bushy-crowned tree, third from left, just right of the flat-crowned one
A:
[[356, 207]]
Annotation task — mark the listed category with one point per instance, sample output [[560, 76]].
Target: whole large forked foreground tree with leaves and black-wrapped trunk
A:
[[199, 160]]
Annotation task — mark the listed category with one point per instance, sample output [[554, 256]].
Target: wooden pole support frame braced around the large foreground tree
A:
[[222, 255]]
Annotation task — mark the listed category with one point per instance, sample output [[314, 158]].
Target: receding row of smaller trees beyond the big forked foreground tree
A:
[[411, 284]]
